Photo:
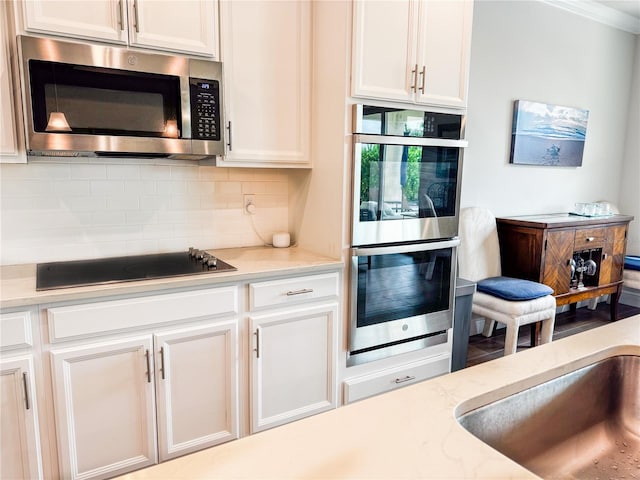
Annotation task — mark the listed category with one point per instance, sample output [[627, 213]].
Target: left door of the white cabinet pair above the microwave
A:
[[100, 20]]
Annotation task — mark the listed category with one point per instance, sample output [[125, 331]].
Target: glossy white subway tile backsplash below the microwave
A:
[[53, 209]]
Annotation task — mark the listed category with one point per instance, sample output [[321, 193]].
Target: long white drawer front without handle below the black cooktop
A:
[[117, 315]]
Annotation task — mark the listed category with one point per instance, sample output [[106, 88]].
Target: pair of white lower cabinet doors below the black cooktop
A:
[[108, 396]]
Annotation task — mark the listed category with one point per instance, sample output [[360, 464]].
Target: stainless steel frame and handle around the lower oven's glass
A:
[[369, 337]]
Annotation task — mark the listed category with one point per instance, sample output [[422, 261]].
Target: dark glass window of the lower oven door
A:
[[402, 285]]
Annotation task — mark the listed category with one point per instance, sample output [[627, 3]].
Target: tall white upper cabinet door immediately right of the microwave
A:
[[266, 49]]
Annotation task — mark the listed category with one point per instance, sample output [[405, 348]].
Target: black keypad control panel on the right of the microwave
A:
[[205, 109]]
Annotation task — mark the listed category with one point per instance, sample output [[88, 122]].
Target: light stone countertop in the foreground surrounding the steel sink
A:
[[407, 433]]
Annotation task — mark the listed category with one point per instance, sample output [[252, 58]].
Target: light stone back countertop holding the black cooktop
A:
[[18, 282]]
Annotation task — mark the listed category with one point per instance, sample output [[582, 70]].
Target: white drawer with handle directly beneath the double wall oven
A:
[[365, 386]]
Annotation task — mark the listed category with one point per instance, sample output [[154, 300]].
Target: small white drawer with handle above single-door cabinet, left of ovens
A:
[[292, 290]]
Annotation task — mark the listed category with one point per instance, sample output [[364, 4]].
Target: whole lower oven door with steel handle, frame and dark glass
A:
[[401, 293]]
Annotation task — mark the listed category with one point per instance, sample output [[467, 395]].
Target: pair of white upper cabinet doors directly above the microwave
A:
[[187, 26]]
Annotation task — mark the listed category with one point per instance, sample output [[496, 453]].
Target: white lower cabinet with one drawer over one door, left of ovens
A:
[[293, 347]]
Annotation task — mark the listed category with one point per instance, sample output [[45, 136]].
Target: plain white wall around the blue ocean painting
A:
[[533, 51]]
